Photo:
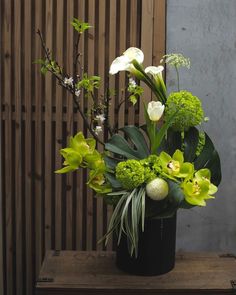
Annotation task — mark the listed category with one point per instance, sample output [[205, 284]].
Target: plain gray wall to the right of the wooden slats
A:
[[205, 31]]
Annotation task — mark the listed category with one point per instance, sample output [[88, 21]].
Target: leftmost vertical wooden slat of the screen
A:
[[8, 148]]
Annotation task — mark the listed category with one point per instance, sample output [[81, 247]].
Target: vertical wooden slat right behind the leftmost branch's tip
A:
[[38, 146]]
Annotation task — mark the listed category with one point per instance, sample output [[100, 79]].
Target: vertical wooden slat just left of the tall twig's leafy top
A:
[[69, 109]]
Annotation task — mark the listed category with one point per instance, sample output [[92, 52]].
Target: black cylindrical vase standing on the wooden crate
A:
[[156, 249]]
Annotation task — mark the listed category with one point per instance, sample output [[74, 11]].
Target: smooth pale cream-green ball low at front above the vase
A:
[[157, 189]]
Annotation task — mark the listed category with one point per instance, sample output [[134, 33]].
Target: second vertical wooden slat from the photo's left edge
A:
[[18, 151]]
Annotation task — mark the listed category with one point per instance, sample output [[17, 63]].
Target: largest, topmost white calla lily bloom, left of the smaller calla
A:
[[124, 62]]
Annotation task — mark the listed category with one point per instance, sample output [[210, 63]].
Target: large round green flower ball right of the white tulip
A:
[[190, 110]]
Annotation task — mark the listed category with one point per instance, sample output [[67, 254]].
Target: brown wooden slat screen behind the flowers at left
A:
[[41, 210]]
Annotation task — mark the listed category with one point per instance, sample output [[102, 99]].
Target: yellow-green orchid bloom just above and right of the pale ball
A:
[[174, 166]]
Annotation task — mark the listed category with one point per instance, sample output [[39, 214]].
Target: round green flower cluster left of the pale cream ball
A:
[[130, 174]]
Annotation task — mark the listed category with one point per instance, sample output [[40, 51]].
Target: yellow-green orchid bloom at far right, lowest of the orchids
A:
[[199, 188]]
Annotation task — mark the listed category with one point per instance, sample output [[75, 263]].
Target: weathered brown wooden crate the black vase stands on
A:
[[90, 273]]
